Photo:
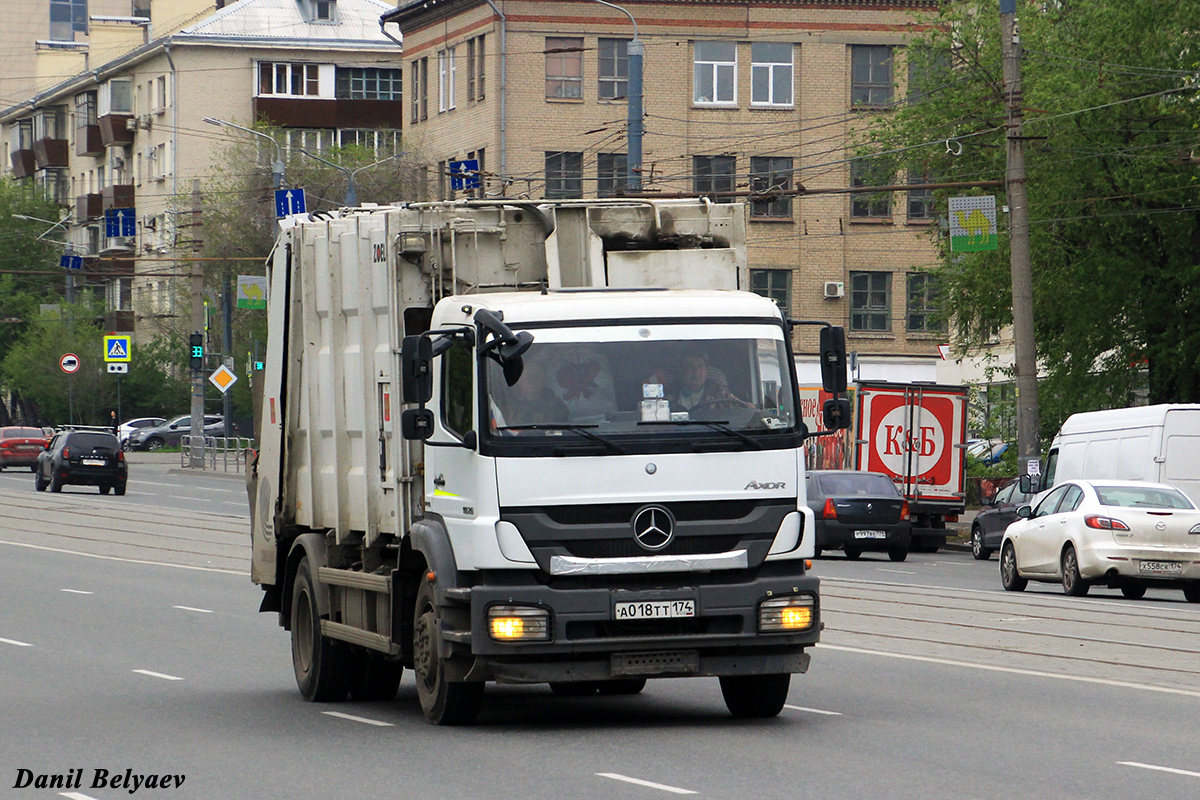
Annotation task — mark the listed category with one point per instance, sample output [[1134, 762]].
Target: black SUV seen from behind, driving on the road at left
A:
[[82, 458]]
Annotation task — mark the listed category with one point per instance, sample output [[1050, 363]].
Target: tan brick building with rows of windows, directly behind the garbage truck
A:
[[739, 98]]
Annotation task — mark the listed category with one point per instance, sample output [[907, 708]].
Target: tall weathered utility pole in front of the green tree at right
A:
[[1027, 357]]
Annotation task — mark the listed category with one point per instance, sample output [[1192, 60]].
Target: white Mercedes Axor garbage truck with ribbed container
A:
[[533, 443]]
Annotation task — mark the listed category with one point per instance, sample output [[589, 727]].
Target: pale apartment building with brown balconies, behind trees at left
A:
[[121, 127]]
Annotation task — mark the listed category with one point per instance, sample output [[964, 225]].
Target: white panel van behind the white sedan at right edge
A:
[[1147, 443]]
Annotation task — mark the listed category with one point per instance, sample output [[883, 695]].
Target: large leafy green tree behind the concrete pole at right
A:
[[1111, 95]]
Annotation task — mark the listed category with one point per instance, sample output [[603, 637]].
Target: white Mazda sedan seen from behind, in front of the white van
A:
[[1121, 534]]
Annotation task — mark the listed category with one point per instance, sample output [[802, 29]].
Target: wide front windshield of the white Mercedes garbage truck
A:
[[727, 382]]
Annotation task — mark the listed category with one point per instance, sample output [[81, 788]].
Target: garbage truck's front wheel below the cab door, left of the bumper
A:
[[443, 702]]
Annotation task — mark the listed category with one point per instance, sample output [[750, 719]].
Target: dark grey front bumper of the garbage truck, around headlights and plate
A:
[[587, 642]]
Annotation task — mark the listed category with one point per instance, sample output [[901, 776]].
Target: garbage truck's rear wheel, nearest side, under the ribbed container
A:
[[320, 663]]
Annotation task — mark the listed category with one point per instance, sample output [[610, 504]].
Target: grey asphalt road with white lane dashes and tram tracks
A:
[[137, 646]]
